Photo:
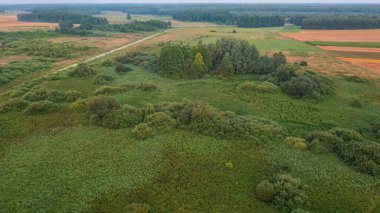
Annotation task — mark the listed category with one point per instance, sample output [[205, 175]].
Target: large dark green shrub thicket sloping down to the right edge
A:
[[350, 146]]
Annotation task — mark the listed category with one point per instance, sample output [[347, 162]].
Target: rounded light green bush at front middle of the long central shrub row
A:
[[161, 122]]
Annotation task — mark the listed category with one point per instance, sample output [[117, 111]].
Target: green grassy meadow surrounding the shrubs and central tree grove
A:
[[58, 162]]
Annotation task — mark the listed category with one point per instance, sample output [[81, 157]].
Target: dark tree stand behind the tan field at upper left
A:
[[57, 16]]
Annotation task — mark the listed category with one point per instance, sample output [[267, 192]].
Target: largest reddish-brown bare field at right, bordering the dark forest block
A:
[[337, 35]]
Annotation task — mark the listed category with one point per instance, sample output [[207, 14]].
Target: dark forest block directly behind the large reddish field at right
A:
[[340, 22]]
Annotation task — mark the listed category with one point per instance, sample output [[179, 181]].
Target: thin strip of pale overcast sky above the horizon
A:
[[185, 1]]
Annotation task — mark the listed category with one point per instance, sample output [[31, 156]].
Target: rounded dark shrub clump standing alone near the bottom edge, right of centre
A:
[[285, 191]]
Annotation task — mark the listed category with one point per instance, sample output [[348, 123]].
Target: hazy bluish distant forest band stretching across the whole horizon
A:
[[308, 16]]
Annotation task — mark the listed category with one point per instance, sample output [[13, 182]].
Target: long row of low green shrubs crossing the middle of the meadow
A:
[[198, 117]]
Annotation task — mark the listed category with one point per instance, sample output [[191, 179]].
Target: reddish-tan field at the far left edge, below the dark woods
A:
[[10, 23]]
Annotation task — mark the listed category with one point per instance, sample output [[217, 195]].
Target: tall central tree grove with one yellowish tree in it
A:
[[225, 57]]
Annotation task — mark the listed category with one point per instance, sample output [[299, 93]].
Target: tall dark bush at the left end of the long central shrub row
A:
[[100, 108]]
